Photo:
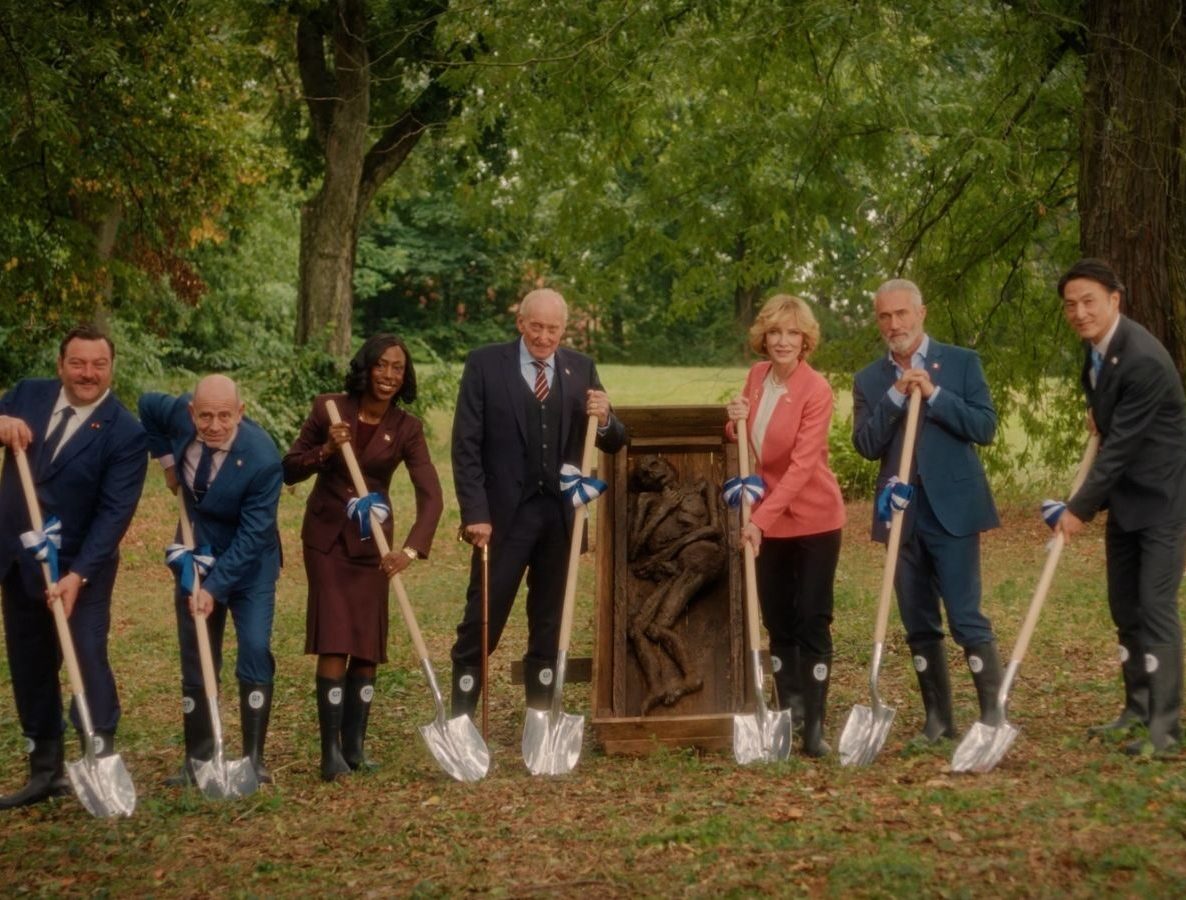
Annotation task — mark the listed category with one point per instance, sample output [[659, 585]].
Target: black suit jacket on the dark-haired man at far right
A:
[[1140, 410]]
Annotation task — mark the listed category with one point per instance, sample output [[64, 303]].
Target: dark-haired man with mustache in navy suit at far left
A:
[[88, 458]]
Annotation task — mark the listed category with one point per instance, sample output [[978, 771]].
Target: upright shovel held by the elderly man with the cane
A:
[[552, 738]]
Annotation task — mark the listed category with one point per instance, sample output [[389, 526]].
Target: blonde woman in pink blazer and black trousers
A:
[[796, 528]]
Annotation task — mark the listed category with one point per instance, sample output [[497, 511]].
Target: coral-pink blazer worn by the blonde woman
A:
[[802, 494]]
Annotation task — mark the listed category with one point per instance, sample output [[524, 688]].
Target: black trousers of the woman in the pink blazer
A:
[[796, 578]]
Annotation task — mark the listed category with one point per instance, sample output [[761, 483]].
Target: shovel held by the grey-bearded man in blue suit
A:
[[868, 727]]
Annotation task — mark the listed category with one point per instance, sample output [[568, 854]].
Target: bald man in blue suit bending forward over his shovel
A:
[[231, 473]]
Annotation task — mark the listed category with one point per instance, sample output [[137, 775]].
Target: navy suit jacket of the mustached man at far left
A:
[[93, 486]]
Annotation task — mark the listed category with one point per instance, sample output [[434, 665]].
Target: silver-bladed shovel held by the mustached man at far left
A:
[[101, 783]]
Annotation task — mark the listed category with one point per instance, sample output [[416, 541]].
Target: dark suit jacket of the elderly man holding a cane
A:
[[490, 451]]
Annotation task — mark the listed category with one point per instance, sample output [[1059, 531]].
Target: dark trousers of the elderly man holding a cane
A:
[[537, 544]]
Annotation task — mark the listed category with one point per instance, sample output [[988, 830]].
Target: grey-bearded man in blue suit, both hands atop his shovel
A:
[[940, 557]]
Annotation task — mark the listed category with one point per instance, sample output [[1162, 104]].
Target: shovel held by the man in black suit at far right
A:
[[986, 745]]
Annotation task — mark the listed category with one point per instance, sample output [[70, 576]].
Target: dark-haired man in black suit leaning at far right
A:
[[1137, 405]]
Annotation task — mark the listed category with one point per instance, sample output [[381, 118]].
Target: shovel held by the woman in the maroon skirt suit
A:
[[455, 743]]
